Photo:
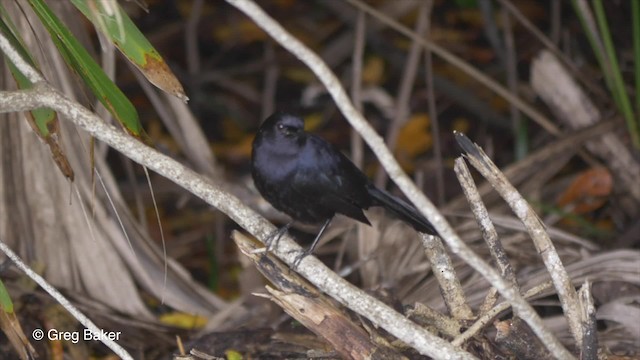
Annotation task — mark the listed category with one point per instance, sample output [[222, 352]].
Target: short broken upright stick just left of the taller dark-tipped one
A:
[[489, 233]]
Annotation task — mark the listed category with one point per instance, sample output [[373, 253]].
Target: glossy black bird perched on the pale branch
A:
[[310, 180]]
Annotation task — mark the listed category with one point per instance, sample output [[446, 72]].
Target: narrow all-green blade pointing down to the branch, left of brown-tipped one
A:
[[79, 59]]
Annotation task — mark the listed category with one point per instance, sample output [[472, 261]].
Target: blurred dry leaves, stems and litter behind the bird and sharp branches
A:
[[486, 76]]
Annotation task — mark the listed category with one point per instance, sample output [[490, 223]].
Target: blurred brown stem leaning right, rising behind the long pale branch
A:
[[405, 89]]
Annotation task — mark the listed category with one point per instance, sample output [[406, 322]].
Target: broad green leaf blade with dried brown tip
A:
[[109, 18]]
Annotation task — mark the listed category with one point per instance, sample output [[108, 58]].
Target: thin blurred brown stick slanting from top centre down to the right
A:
[[528, 110]]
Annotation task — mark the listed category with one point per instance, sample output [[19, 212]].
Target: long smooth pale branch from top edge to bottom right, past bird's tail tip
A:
[[331, 82]]
